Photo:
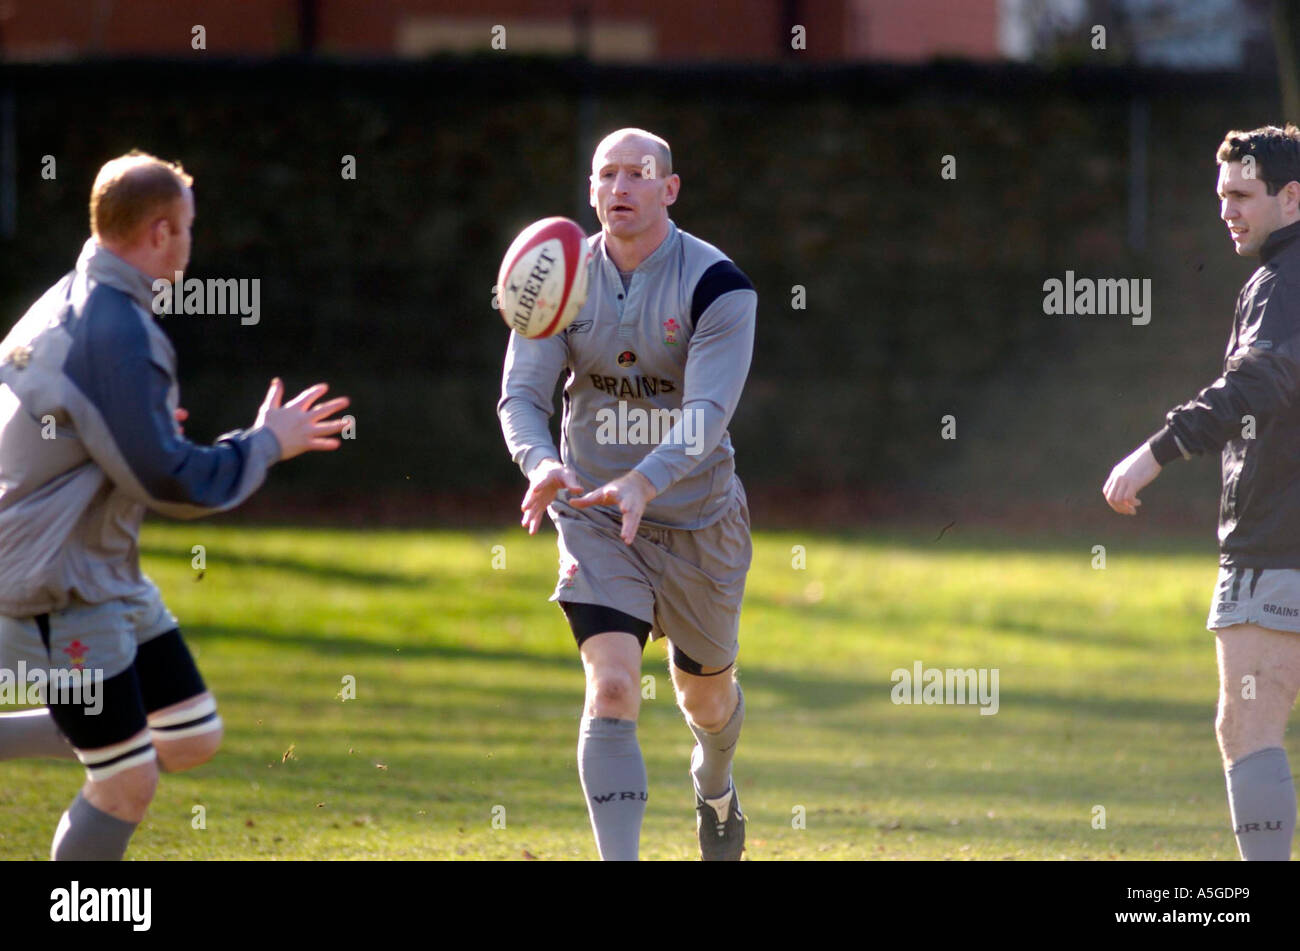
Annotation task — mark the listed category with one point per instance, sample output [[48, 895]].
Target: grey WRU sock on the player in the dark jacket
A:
[[1262, 797]]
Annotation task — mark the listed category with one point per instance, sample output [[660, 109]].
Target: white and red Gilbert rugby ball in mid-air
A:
[[544, 277]]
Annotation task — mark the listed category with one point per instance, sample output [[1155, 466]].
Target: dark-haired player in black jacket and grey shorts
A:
[[1251, 415]]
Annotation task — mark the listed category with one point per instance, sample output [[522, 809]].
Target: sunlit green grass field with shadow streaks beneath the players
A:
[[469, 694]]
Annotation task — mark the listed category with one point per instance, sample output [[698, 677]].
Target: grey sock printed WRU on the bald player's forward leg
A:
[[614, 780]]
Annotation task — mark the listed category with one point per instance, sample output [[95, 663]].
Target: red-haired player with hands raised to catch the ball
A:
[[90, 438]]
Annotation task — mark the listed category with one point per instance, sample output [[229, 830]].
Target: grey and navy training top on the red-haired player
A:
[[88, 441]]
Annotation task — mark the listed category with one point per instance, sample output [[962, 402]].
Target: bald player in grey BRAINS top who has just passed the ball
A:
[[653, 524]]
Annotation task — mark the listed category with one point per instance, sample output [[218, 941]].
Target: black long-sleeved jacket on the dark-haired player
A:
[[1253, 416]]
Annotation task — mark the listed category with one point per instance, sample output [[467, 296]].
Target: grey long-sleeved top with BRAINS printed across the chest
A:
[[655, 375]]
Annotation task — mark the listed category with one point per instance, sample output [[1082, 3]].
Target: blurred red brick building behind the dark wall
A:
[[608, 31]]
